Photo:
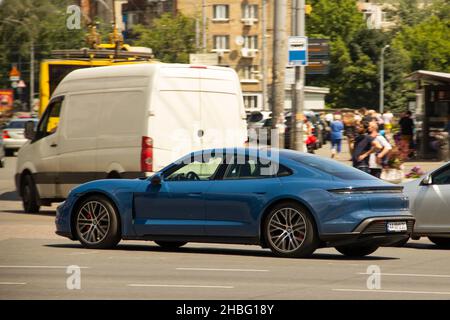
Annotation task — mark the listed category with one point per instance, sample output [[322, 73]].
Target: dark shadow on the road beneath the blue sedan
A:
[[220, 251]]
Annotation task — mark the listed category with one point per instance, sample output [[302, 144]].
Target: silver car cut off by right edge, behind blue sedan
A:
[[429, 199]]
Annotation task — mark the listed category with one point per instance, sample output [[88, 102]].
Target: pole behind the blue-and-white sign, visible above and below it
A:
[[298, 89]]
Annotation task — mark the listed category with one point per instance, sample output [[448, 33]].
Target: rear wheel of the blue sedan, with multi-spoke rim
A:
[[289, 231]]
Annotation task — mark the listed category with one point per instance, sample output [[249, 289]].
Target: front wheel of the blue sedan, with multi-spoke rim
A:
[[96, 223]]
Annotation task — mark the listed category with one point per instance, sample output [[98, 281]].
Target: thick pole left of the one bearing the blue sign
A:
[[279, 67]]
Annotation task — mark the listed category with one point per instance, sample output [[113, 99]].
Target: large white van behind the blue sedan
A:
[[126, 122]]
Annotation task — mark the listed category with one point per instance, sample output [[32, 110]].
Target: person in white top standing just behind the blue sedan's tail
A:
[[378, 158]]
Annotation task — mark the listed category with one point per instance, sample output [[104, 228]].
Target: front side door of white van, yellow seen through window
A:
[[45, 149]]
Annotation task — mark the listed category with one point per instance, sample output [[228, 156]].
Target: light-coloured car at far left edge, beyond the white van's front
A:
[[13, 134]]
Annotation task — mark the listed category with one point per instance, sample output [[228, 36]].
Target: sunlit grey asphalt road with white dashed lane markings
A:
[[34, 261]]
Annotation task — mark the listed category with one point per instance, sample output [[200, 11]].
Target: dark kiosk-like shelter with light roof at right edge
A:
[[432, 112]]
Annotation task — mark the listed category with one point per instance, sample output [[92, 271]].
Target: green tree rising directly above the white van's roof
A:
[[171, 38]]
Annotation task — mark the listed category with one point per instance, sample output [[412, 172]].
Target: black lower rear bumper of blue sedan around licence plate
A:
[[372, 231]]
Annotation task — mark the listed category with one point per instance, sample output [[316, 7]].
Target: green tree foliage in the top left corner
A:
[[44, 22]]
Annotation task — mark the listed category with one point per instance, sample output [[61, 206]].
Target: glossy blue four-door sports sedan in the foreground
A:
[[290, 202]]
